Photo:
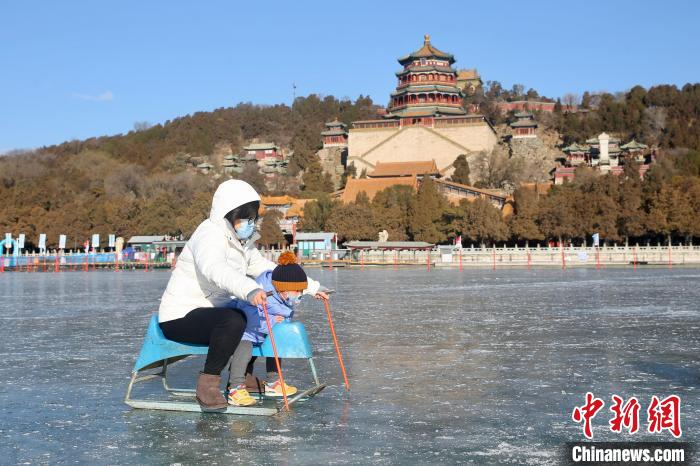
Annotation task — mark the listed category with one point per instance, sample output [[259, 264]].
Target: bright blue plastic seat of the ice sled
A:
[[290, 338]]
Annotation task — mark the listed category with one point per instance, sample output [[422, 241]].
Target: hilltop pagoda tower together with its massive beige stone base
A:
[[425, 119]]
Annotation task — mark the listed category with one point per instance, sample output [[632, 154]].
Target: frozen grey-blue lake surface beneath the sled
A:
[[477, 367]]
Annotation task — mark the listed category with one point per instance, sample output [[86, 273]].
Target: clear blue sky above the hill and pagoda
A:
[[79, 69]]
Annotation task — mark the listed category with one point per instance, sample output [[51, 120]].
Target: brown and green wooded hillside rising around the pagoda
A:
[[143, 182]]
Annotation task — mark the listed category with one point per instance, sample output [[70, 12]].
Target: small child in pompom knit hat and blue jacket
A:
[[284, 286]]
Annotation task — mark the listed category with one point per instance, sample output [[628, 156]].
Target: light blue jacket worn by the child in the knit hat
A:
[[256, 328]]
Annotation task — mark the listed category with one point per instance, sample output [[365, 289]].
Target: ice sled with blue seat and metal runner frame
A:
[[157, 353]]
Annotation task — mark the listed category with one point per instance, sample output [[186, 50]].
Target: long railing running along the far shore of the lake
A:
[[441, 256]]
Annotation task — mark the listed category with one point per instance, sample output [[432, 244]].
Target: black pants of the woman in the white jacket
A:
[[219, 327]]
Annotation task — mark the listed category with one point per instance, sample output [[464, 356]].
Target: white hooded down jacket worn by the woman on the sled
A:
[[215, 266]]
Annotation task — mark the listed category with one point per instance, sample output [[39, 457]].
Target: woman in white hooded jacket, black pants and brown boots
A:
[[215, 266]]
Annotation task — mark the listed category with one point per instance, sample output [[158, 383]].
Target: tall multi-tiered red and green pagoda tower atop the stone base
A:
[[427, 85]]
